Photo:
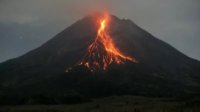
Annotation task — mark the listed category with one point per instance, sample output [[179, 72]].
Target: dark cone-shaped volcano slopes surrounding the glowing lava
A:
[[161, 69]]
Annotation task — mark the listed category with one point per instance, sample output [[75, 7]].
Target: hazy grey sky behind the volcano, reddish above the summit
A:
[[26, 24]]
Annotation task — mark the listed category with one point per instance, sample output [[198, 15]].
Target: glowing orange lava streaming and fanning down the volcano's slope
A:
[[102, 51]]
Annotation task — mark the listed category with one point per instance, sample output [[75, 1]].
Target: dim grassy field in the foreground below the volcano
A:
[[115, 104]]
